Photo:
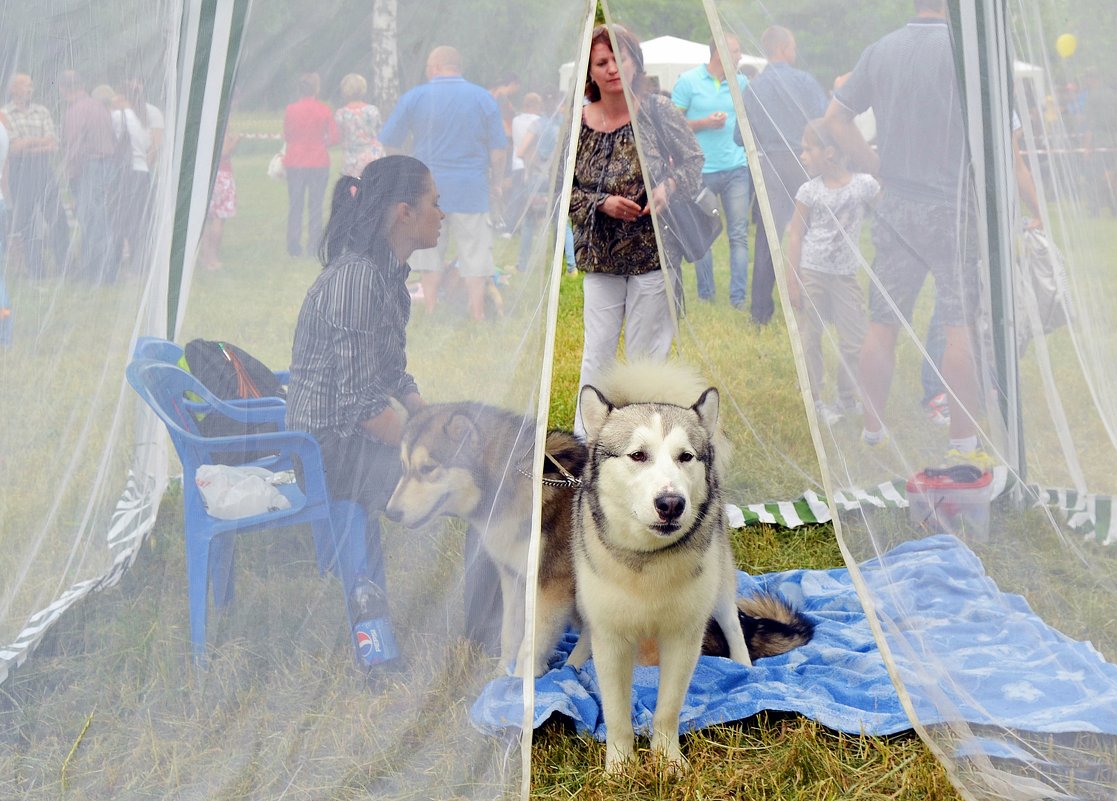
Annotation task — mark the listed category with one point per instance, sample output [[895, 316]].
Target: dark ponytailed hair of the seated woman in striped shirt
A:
[[360, 207]]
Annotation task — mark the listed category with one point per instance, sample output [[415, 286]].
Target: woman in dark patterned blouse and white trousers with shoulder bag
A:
[[615, 241]]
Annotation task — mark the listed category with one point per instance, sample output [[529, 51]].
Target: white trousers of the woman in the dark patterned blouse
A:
[[637, 304]]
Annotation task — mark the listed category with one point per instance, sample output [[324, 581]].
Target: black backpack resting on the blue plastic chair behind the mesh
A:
[[231, 374]]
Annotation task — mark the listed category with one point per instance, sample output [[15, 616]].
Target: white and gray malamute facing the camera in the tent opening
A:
[[652, 552]]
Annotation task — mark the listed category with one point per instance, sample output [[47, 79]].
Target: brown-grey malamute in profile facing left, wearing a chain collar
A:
[[474, 462]]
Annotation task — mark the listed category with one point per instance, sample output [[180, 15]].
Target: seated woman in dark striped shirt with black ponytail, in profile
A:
[[349, 380]]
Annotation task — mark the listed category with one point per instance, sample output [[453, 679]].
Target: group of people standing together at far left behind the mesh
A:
[[103, 152]]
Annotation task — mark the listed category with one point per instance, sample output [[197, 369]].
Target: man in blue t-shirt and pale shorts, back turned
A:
[[455, 128]]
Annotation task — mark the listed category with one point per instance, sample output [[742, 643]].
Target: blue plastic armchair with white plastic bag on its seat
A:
[[339, 528]]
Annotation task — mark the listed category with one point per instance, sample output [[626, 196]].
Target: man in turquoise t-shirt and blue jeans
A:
[[704, 97]]
